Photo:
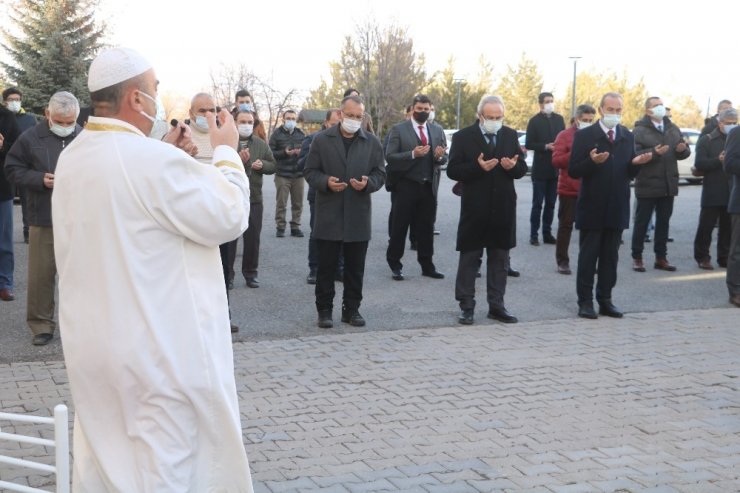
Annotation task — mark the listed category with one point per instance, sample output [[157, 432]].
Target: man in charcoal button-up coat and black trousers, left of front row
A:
[[344, 165]]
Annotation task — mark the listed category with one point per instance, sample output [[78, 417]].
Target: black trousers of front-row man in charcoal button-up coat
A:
[[354, 272]]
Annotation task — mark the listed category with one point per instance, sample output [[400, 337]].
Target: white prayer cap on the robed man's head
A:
[[115, 65]]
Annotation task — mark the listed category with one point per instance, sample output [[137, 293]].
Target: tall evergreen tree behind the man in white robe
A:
[[58, 40]]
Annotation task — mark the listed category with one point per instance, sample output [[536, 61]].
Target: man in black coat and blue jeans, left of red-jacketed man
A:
[[541, 132]]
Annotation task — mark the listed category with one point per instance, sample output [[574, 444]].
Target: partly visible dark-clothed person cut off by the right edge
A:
[[732, 168]]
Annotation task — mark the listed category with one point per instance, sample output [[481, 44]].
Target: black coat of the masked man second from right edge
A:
[[715, 188]]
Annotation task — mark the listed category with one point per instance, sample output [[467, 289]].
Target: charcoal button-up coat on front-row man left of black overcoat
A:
[[344, 216]]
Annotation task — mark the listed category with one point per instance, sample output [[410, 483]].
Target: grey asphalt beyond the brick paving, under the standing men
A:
[[283, 307]]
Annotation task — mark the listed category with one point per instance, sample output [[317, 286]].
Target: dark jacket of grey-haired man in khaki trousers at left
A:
[[34, 154]]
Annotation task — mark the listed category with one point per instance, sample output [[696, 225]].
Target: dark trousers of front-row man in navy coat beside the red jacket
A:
[[598, 256]]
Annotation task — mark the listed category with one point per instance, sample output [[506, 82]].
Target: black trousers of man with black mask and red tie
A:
[[413, 202]]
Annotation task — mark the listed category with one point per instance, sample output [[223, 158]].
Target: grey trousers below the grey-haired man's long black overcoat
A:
[[497, 264]]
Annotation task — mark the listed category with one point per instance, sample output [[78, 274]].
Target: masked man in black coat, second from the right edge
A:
[[715, 193]]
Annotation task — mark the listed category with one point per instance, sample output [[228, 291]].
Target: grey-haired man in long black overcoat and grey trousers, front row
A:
[[486, 158]]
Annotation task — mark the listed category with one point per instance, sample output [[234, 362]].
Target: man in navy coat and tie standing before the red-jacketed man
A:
[[603, 157]]
